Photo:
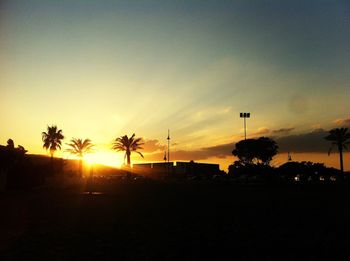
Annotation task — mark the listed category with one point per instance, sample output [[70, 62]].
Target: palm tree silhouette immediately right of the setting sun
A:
[[128, 145]]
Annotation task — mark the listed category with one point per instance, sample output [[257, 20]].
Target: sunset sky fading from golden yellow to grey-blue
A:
[[103, 69]]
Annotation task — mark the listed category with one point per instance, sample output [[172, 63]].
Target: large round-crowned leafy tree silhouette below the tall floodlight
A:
[[260, 150]]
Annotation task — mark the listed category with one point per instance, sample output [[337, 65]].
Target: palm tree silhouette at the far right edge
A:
[[339, 137]]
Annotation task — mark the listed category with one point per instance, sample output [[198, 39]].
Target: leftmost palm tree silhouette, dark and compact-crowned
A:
[[52, 140]]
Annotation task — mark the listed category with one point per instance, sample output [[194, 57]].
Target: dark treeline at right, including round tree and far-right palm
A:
[[254, 157]]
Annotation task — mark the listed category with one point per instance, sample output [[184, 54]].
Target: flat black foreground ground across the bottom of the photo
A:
[[163, 221]]
